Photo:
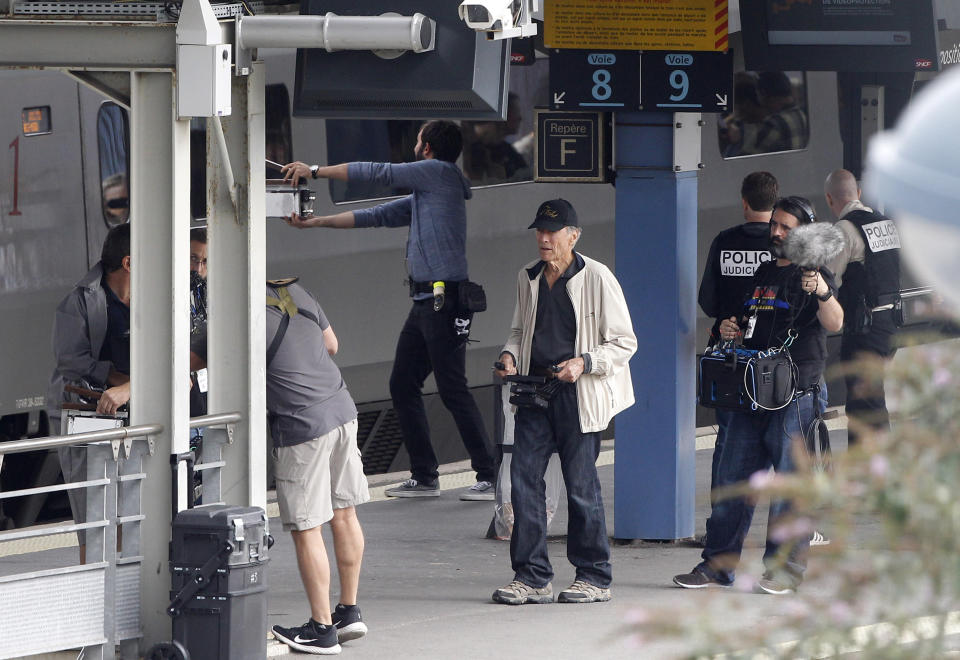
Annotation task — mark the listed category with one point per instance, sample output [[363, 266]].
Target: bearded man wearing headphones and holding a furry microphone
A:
[[787, 302]]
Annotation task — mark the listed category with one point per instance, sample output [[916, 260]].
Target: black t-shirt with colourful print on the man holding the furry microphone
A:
[[778, 304]]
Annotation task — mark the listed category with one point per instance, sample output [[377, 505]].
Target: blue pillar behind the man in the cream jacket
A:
[[656, 264]]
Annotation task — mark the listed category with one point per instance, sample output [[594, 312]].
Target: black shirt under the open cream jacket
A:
[[555, 332]]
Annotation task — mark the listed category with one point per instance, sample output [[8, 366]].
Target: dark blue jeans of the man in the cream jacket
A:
[[537, 435]]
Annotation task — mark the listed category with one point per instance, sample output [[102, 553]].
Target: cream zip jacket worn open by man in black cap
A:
[[604, 331]]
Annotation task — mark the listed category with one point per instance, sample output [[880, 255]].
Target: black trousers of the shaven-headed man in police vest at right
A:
[[866, 399]]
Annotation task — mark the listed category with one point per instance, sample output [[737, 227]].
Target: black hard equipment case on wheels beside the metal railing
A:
[[218, 559]]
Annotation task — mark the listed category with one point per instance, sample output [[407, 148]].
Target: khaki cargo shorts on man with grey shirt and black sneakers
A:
[[318, 476]]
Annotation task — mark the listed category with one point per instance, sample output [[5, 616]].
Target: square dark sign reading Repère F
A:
[[570, 147]]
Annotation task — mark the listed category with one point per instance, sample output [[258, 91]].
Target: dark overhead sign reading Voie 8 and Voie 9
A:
[[653, 80]]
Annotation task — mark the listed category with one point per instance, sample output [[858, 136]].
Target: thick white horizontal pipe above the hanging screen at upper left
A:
[[334, 32]]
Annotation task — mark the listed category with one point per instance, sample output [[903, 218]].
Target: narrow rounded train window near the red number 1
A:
[[113, 138]]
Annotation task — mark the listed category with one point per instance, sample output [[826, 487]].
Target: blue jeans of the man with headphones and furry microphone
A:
[[754, 442]]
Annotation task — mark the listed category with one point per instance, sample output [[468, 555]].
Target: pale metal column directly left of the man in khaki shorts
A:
[[236, 333]]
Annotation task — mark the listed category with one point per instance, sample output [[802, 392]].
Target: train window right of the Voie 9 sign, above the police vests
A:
[[769, 114]]
